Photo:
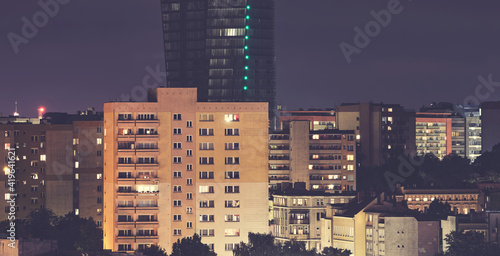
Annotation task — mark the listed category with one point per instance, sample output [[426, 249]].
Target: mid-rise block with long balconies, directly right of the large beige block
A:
[[324, 159]]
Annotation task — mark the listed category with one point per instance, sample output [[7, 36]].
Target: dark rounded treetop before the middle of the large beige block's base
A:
[[191, 247]]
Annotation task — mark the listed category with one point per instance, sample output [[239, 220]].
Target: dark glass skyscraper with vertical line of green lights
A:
[[225, 48]]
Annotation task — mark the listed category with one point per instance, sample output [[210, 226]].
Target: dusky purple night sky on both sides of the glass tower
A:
[[94, 51]]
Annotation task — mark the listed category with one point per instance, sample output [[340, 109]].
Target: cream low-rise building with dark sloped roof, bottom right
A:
[[376, 226]]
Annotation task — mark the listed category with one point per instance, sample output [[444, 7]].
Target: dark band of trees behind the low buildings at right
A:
[[428, 171]]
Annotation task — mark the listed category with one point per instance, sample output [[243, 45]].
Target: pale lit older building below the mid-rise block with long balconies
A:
[[297, 214]]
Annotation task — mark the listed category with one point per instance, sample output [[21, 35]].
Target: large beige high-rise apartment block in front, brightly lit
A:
[[174, 166]]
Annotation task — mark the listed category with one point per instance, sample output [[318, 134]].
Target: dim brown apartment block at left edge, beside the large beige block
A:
[[58, 165]]
